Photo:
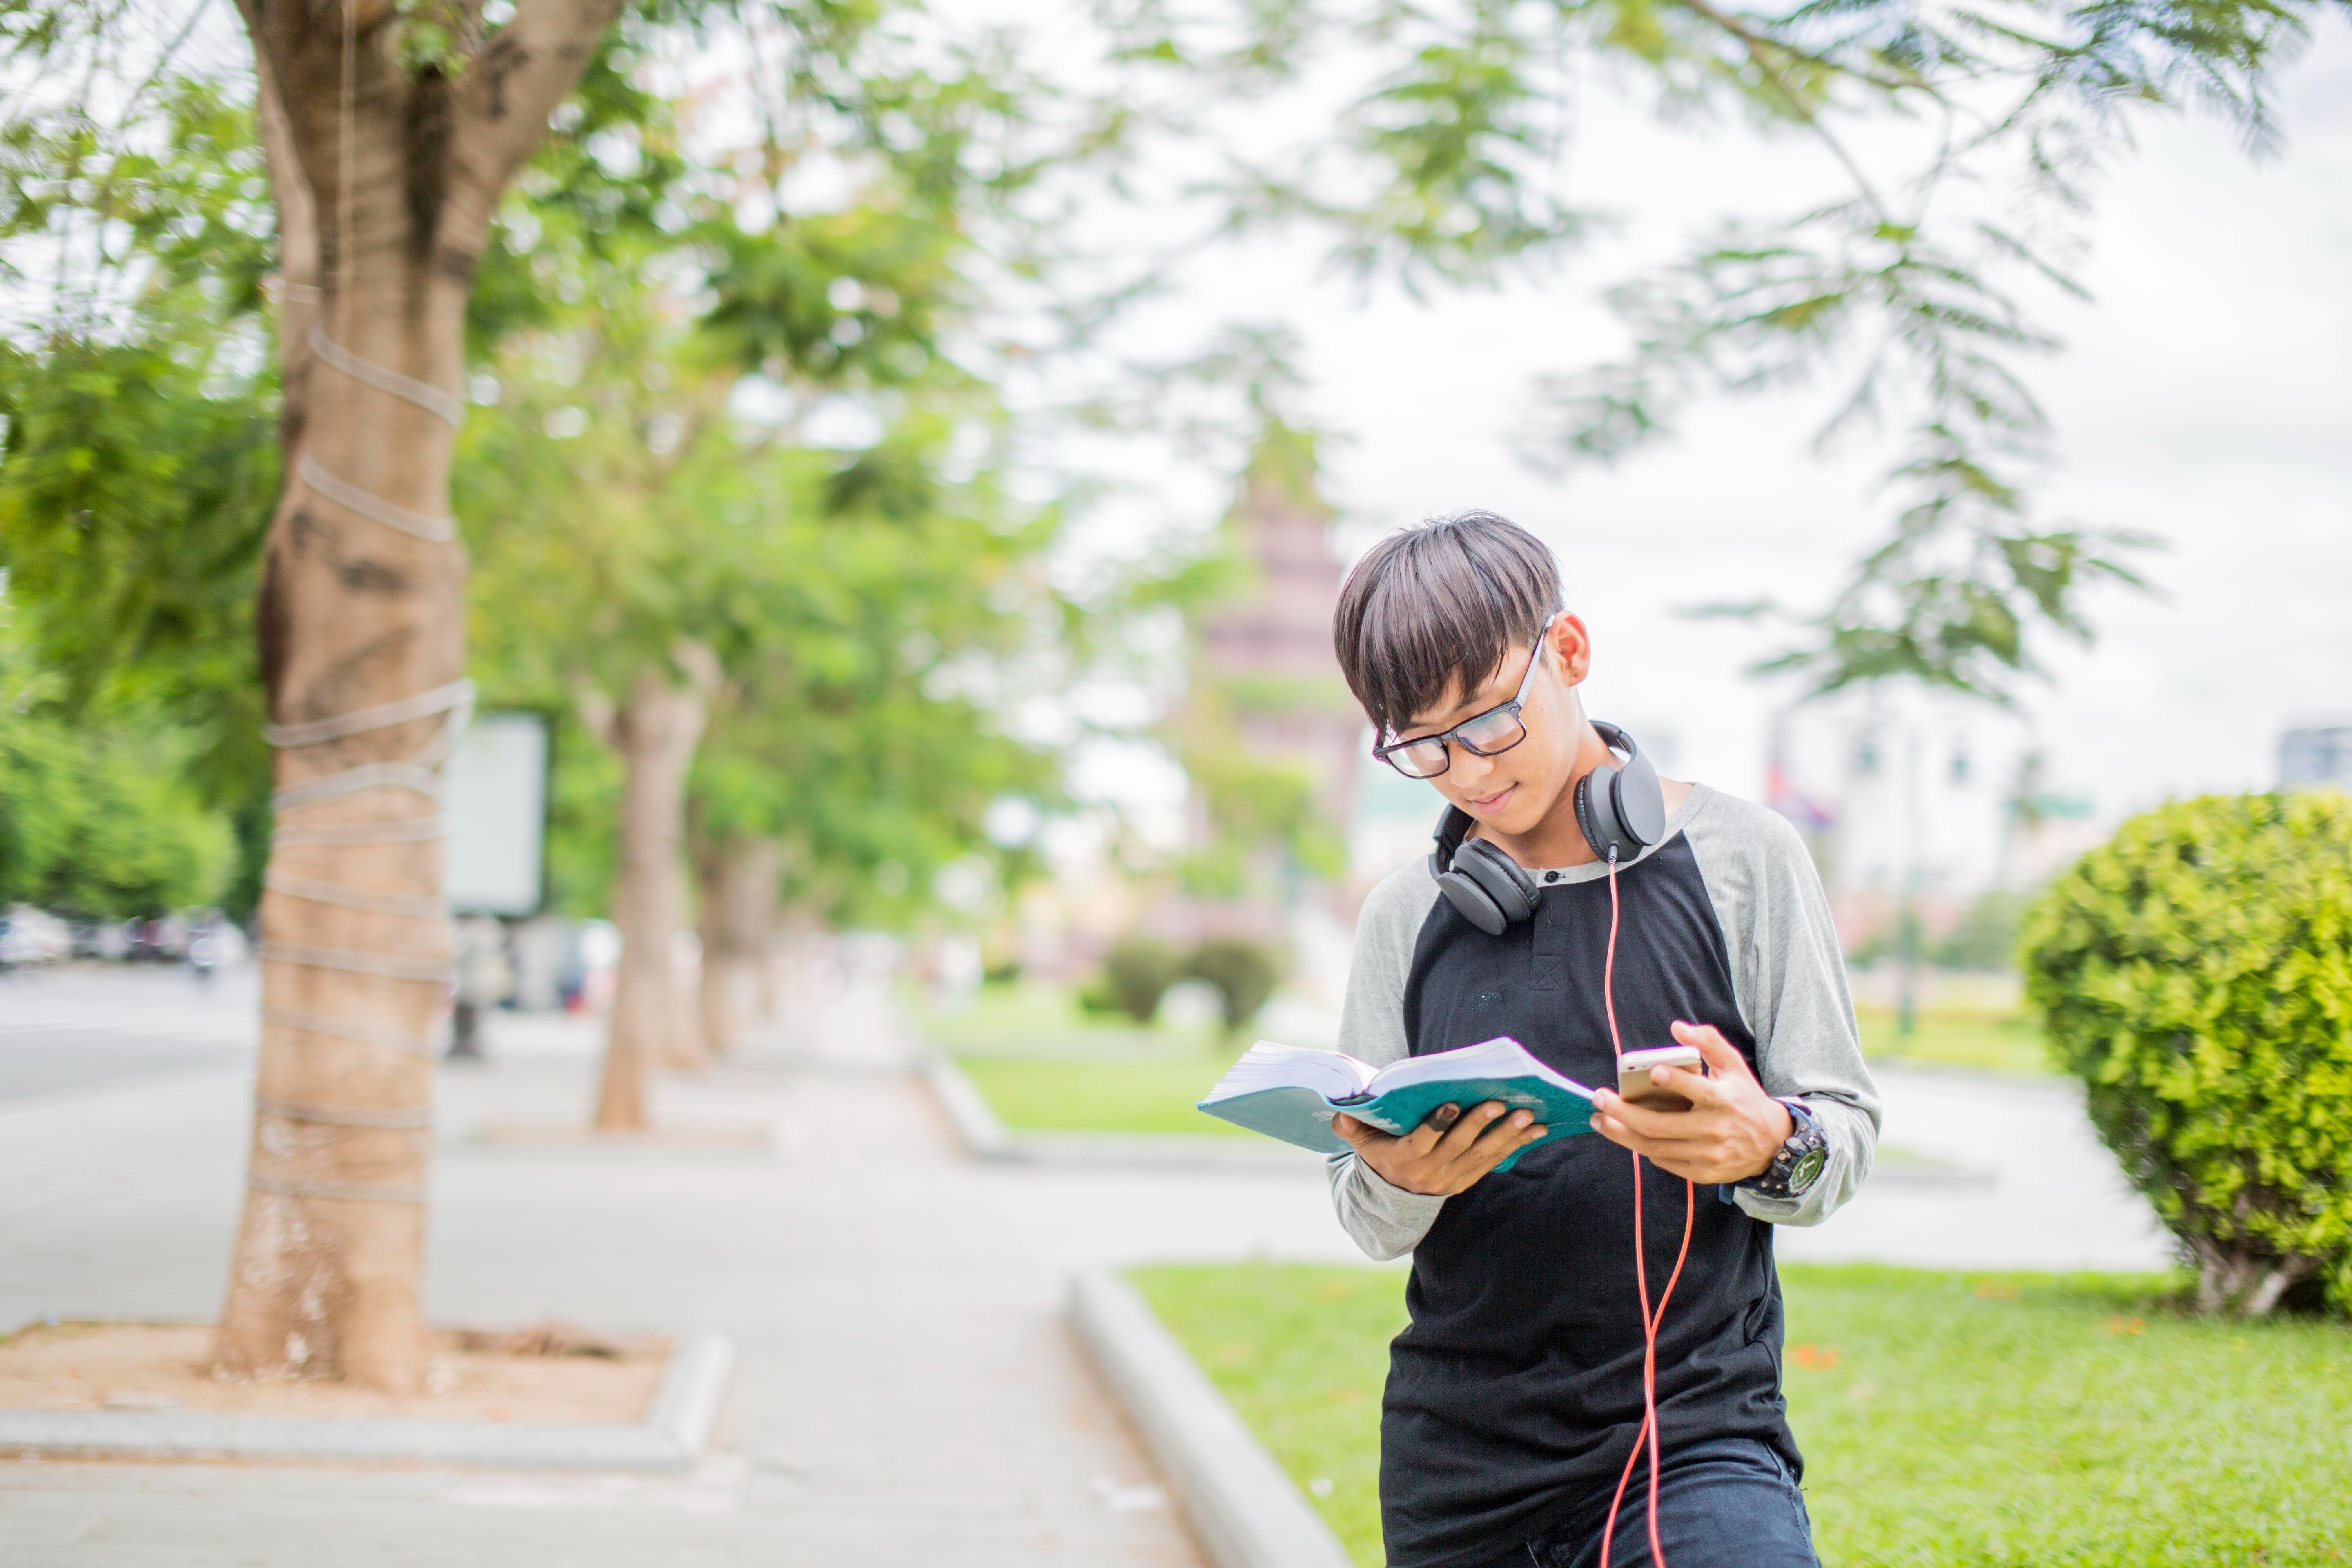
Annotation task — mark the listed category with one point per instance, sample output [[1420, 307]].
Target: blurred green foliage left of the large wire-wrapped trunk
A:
[[138, 469]]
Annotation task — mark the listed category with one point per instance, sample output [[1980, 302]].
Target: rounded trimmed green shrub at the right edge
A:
[[2196, 974]]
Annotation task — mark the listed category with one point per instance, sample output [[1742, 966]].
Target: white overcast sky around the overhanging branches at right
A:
[[2203, 398]]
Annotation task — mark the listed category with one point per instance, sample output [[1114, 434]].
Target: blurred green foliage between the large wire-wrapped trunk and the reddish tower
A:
[[643, 476]]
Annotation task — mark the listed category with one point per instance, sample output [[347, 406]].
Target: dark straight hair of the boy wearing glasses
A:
[[1436, 608]]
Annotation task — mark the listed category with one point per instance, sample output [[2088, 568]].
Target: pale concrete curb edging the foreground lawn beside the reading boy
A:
[[1243, 1510]]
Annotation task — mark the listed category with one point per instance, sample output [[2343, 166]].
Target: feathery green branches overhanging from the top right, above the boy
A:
[[1963, 149]]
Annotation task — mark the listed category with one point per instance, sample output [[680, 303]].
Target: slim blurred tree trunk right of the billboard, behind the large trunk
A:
[[655, 732]]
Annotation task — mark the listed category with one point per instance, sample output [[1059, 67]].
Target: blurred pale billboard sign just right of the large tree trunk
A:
[[497, 803]]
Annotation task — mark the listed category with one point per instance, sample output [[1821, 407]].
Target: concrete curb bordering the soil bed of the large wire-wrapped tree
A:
[[671, 1438]]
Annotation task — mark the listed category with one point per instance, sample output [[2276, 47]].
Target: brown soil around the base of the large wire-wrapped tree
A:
[[474, 1376]]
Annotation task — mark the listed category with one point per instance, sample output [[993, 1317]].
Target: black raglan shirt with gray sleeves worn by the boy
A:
[[1518, 1383]]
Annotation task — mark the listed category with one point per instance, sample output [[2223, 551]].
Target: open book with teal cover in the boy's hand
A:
[[1292, 1094]]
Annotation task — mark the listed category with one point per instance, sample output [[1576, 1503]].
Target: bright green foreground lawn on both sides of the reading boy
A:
[[1949, 1421]]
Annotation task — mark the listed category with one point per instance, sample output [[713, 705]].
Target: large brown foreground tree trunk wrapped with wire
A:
[[385, 187]]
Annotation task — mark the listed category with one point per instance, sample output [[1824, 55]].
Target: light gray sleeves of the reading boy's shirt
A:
[[1786, 972]]
